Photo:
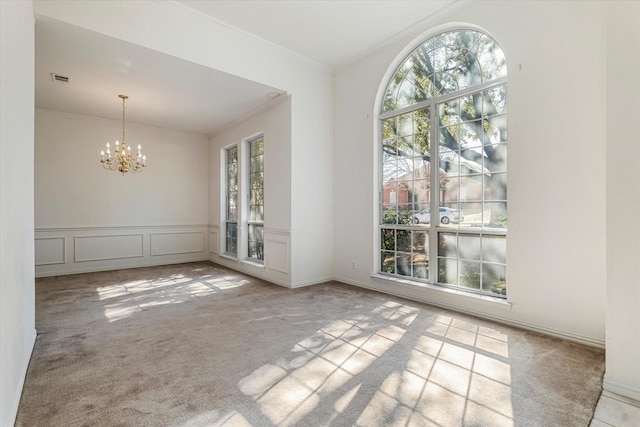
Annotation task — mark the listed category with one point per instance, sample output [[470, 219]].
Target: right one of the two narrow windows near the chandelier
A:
[[255, 221]]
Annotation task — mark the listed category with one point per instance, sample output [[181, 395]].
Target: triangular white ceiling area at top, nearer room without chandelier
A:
[[332, 32]]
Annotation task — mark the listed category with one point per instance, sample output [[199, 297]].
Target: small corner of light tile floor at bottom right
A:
[[615, 410]]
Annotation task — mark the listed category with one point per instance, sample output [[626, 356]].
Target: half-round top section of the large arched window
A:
[[446, 63]]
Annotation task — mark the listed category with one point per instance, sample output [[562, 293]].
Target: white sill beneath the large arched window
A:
[[441, 295]]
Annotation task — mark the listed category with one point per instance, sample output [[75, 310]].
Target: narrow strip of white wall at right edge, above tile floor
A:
[[623, 200]]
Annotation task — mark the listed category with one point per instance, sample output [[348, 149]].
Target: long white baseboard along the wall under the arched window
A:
[[569, 336]]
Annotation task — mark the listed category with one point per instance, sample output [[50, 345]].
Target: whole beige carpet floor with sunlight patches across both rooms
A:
[[200, 345]]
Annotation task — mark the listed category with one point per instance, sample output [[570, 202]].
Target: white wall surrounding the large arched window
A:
[[556, 244]]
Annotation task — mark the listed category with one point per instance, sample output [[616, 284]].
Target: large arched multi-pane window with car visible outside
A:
[[444, 221]]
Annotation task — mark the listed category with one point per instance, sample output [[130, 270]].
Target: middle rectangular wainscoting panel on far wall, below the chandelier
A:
[[108, 247]]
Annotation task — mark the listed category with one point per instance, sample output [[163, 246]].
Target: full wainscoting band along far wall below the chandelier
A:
[[111, 248]]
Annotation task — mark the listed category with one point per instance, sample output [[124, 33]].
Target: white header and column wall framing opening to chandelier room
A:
[[176, 30]]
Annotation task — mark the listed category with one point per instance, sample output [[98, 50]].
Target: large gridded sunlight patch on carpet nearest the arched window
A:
[[454, 372]]
